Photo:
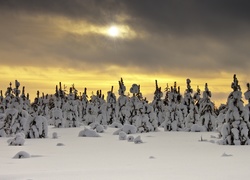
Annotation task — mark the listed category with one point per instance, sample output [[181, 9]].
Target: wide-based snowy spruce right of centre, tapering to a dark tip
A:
[[174, 118]]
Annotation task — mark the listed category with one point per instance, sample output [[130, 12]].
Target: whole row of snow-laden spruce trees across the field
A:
[[191, 112]]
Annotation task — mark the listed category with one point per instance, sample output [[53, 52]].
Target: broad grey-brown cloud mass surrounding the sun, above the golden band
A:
[[193, 36]]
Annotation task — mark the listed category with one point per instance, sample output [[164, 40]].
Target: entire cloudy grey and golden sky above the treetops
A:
[[46, 42]]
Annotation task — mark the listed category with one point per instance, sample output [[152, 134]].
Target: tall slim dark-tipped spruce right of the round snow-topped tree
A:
[[158, 104]]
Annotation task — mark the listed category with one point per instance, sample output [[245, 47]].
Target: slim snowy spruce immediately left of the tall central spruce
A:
[[111, 105]]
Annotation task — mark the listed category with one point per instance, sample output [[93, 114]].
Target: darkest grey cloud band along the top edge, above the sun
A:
[[177, 16]]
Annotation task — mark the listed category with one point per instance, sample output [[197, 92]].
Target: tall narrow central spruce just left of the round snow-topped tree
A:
[[121, 110]]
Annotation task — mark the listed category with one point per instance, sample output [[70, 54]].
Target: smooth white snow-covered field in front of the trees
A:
[[162, 155]]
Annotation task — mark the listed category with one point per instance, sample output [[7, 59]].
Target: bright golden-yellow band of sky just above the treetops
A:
[[45, 80]]
